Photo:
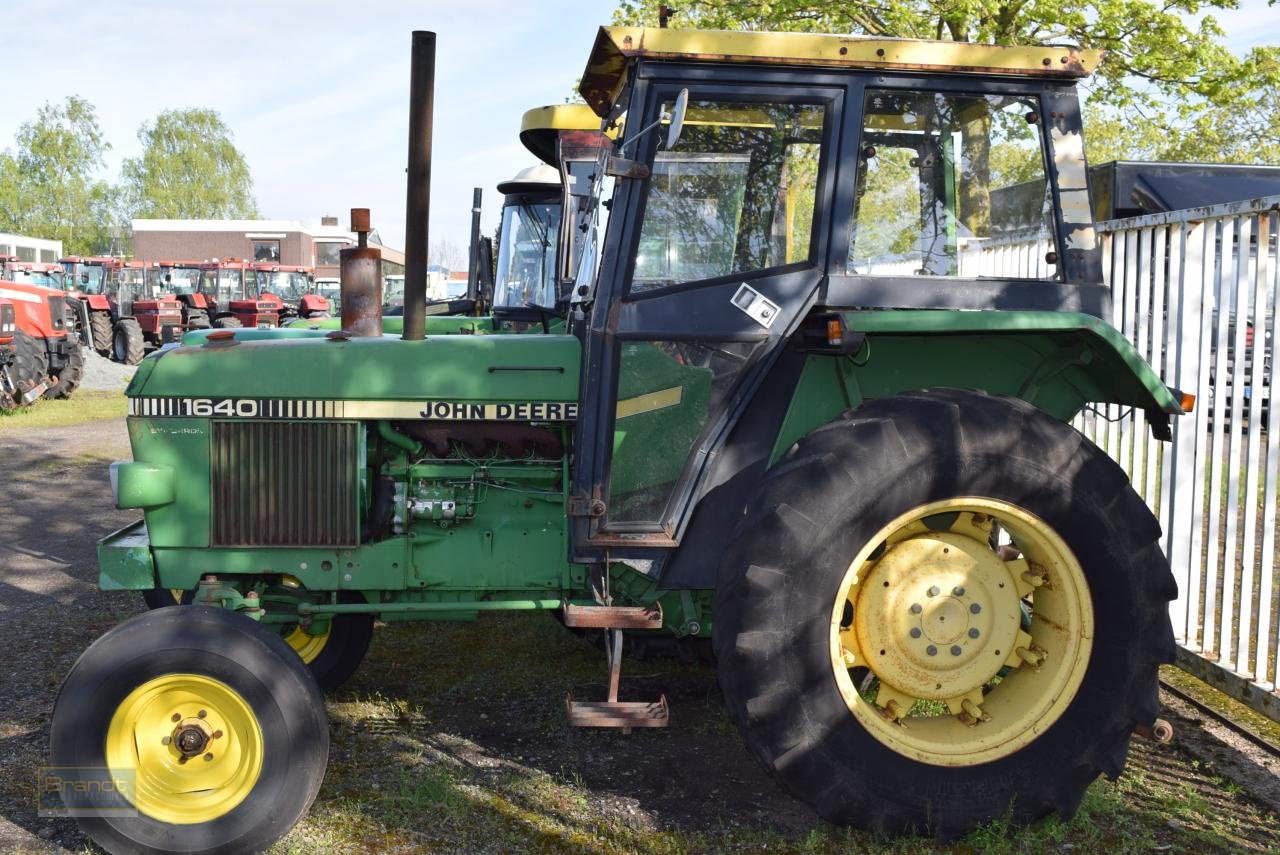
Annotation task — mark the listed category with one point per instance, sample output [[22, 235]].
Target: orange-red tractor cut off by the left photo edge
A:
[[48, 355]]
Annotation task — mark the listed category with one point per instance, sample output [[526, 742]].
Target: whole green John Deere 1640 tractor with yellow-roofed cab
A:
[[783, 399]]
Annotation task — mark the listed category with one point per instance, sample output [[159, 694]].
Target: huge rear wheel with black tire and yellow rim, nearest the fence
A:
[[834, 597]]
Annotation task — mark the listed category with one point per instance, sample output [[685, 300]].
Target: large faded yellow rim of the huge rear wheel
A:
[[936, 606]]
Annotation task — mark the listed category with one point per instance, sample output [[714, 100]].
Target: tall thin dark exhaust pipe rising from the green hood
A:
[[418, 205]]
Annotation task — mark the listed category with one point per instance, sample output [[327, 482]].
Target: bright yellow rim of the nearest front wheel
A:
[[194, 746]]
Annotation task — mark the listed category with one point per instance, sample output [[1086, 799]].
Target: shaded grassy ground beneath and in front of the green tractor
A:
[[452, 738]]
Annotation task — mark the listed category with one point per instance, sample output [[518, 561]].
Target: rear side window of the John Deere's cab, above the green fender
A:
[[948, 184]]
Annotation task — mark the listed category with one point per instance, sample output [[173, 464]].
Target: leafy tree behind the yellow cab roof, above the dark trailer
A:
[[1169, 88]]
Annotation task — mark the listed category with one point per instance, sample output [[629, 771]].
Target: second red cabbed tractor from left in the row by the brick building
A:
[[145, 316]]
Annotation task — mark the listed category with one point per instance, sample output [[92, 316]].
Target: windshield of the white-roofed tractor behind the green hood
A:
[[527, 255]]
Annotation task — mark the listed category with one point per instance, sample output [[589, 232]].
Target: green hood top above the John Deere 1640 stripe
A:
[[312, 368]]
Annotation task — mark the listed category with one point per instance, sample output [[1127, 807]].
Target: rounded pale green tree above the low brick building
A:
[[189, 170]]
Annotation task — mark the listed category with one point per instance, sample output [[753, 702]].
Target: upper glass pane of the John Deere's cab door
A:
[[735, 195]]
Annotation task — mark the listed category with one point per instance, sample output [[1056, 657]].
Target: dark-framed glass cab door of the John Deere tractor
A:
[[710, 264]]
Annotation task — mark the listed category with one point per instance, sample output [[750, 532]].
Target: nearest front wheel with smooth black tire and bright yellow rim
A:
[[212, 724]]
